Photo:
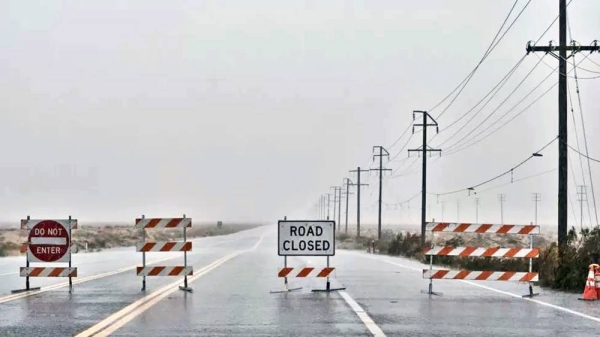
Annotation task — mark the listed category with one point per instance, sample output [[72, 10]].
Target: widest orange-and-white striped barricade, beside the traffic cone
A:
[[497, 252]]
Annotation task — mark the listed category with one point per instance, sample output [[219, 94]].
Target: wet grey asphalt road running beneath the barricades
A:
[[233, 277]]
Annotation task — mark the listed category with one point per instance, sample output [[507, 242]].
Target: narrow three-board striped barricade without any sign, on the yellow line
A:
[[164, 246]]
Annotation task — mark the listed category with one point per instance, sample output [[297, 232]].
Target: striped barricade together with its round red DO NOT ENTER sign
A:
[[48, 241]]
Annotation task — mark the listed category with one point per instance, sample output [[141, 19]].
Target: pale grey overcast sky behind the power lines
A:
[[250, 110]]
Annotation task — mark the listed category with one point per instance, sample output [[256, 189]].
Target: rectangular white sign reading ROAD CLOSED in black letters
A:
[[306, 238]]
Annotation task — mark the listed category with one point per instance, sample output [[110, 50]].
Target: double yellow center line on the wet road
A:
[[127, 314]]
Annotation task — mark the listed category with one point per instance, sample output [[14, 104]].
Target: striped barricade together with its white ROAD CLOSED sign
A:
[[306, 238]]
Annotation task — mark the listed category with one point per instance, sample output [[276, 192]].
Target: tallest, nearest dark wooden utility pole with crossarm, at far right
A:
[[562, 49]]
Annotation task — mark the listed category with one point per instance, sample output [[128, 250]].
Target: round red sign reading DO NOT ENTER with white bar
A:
[[49, 241]]
